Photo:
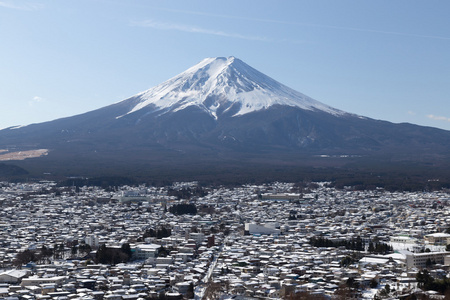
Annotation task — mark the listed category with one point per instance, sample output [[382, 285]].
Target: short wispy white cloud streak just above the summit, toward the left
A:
[[195, 29]]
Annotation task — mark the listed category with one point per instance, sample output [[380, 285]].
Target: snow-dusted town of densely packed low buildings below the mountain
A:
[[185, 241]]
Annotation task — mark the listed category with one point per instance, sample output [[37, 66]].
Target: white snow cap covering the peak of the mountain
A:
[[218, 84]]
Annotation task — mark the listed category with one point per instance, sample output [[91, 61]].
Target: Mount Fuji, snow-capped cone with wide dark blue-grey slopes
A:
[[220, 112]]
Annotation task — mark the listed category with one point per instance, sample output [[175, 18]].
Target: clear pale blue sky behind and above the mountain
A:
[[386, 60]]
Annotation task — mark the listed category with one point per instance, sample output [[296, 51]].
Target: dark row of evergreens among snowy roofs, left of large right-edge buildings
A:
[[354, 244]]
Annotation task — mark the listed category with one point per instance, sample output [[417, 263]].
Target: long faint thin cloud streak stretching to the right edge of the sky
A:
[[306, 24]]
